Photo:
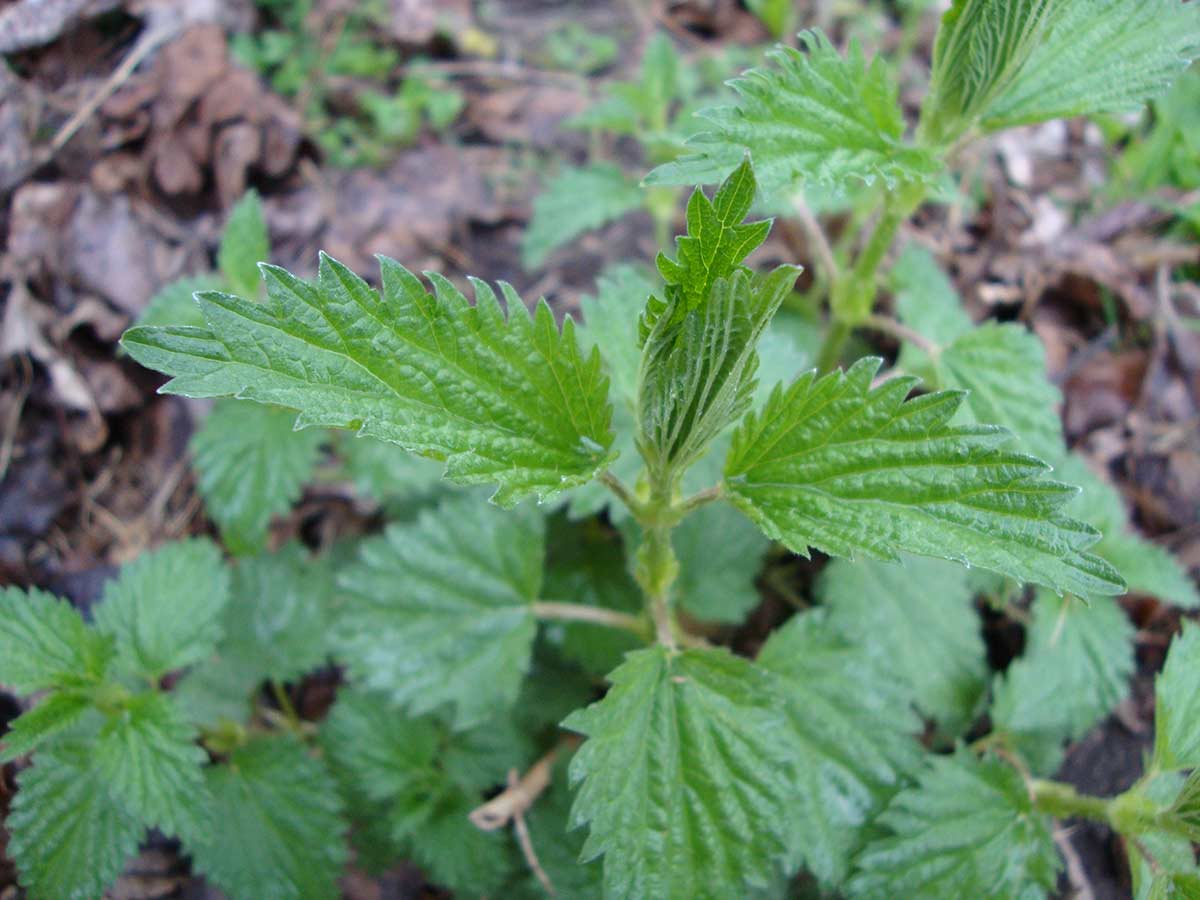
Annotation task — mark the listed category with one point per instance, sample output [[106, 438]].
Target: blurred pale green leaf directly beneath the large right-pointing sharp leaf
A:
[[920, 619]]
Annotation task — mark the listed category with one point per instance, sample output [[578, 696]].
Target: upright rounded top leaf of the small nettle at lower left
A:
[[164, 610]]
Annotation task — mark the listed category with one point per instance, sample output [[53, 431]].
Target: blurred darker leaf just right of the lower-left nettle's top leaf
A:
[[280, 614]]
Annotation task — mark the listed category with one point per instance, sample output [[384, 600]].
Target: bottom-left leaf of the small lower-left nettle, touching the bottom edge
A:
[[67, 837]]
